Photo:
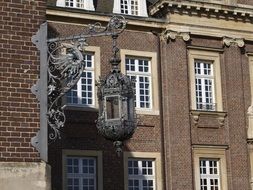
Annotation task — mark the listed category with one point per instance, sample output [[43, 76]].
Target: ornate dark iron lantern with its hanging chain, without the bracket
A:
[[117, 119]]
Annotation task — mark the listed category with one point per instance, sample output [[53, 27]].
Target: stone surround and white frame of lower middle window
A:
[[155, 157]]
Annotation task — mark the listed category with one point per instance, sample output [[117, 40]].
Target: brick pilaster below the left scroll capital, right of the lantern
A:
[[176, 115]]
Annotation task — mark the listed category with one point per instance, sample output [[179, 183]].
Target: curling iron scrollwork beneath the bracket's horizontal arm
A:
[[65, 66]]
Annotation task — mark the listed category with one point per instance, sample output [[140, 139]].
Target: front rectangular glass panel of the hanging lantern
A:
[[112, 107]]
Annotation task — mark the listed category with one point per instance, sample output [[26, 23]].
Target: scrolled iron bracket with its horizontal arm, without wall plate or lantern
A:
[[65, 66]]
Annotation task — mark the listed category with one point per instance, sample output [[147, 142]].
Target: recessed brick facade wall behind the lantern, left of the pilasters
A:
[[80, 131]]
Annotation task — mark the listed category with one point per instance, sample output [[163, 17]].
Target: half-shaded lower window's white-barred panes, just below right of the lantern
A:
[[141, 174]]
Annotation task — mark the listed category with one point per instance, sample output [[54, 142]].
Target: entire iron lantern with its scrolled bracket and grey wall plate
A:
[[116, 119]]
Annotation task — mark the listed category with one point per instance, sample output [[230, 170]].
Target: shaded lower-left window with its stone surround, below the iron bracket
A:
[[82, 170]]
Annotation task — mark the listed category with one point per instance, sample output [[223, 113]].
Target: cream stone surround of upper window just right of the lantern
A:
[[152, 56]]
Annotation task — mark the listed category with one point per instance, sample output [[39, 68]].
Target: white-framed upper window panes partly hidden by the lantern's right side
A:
[[139, 69]]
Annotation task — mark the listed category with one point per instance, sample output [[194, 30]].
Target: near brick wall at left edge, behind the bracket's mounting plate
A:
[[19, 68]]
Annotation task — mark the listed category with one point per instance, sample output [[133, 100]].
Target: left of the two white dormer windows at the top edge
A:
[[80, 4]]
